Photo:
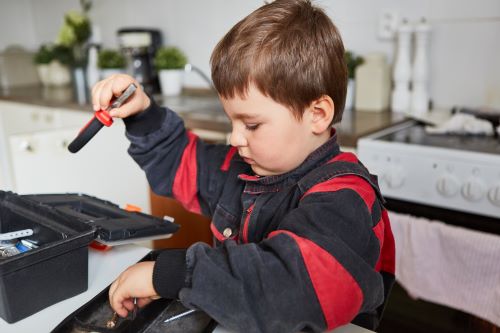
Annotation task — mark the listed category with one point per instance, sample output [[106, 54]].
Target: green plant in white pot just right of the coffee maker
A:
[[170, 62]]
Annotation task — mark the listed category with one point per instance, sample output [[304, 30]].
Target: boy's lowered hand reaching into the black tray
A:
[[135, 282]]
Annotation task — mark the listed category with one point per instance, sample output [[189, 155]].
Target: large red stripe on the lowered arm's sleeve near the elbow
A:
[[338, 293]]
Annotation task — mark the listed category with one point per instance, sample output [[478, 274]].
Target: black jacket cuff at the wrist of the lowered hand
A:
[[169, 273]]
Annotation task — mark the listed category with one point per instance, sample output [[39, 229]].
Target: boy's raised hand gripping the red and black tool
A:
[[104, 91]]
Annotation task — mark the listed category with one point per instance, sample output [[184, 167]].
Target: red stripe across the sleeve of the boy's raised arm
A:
[[185, 189]]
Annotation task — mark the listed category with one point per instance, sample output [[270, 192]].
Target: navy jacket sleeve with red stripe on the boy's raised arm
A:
[[176, 162]]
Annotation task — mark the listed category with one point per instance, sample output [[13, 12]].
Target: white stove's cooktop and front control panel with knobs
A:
[[460, 173]]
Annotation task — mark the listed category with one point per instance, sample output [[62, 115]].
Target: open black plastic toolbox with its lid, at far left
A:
[[63, 226]]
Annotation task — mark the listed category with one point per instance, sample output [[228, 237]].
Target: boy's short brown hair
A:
[[290, 50]]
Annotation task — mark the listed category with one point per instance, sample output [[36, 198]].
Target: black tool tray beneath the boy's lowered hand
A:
[[93, 316]]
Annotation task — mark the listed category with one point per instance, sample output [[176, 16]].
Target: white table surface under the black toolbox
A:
[[104, 267]]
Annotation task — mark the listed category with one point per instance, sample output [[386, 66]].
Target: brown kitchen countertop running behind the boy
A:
[[203, 111]]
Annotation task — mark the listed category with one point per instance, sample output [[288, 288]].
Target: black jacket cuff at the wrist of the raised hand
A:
[[146, 121]]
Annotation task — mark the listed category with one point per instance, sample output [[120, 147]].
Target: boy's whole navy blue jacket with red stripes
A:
[[308, 250]]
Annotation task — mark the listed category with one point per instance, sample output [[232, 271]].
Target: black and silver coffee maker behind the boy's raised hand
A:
[[139, 46]]
